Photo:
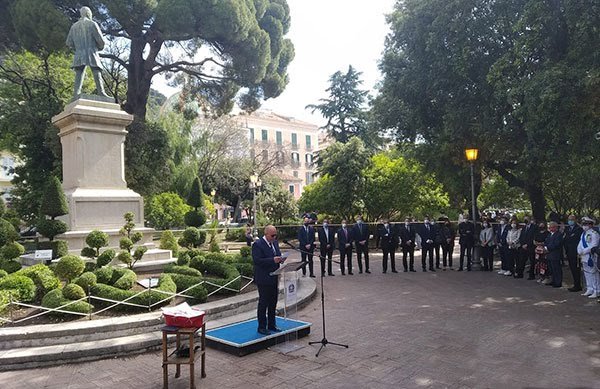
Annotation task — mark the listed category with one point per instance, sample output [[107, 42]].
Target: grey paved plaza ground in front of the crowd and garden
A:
[[407, 330]]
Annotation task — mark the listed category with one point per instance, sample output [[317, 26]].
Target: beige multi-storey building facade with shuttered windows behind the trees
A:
[[285, 144]]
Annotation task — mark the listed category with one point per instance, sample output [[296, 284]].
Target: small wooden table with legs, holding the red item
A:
[[173, 359]]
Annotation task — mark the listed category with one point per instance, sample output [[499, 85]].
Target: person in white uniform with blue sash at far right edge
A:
[[586, 249]]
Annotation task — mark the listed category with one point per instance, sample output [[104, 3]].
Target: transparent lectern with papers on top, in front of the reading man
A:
[[288, 275]]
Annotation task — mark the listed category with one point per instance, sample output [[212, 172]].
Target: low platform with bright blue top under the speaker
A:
[[243, 338]]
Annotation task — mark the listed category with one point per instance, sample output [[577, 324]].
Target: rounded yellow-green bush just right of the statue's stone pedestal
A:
[[165, 211]]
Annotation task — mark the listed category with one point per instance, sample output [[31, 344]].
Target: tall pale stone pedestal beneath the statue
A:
[[92, 134]]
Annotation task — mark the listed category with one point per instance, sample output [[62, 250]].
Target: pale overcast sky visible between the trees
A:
[[328, 35]]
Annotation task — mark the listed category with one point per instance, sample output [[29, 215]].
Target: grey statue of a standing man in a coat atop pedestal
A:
[[85, 37]]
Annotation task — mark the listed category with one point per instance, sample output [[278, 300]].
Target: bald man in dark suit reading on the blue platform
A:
[[266, 257]]
